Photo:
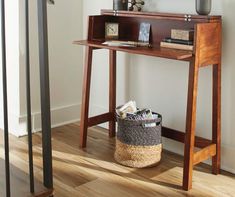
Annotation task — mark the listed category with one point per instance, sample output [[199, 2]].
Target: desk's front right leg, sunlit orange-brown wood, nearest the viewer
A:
[[190, 126]]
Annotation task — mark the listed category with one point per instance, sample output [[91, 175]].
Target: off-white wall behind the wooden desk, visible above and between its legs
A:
[[162, 84]]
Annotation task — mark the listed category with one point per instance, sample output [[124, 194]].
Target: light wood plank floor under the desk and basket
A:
[[94, 173]]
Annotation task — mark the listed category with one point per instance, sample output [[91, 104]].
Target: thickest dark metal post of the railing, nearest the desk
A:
[[45, 93]]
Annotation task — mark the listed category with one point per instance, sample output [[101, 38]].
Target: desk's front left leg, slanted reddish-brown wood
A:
[[85, 97]]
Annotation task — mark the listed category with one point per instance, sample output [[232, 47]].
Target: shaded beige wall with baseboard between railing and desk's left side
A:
[[65, 59]]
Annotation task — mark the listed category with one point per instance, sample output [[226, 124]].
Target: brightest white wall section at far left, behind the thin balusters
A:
[[12, 55]]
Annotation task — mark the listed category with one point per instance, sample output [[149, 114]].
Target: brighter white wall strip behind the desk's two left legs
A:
[[99, 96]]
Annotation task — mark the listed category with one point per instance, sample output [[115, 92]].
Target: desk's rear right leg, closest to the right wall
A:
[[216, 117]]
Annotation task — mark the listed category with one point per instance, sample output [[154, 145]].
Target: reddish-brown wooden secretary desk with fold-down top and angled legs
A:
[[207, 51]]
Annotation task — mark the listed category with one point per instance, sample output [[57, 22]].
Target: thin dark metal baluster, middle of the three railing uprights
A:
[[28, 96]]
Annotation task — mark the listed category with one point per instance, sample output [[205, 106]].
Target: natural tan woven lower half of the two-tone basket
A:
[[137, 156]]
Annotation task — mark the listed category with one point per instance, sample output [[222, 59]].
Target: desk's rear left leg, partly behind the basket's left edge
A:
[[112, 91]]
